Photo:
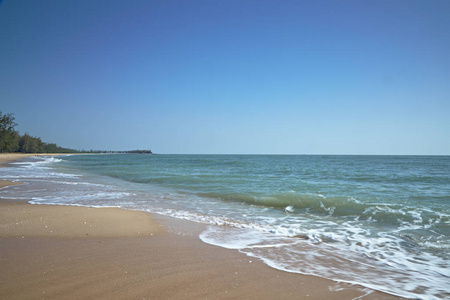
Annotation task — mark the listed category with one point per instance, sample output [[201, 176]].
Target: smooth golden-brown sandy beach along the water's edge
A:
[[67, 252]]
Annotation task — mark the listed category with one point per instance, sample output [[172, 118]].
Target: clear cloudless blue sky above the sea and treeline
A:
[[230, 76]]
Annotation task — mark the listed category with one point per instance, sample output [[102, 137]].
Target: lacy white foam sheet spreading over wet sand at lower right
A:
[[326, 260]]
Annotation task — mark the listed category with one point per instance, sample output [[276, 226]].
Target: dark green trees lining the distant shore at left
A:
[[12, 141]]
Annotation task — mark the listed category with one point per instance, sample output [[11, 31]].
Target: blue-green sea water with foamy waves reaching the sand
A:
[[379, 221]]
